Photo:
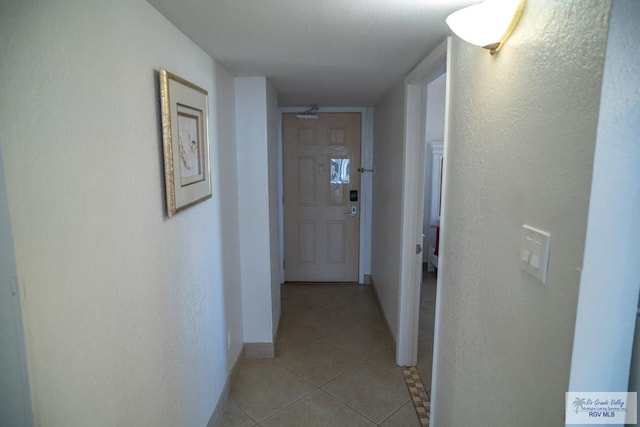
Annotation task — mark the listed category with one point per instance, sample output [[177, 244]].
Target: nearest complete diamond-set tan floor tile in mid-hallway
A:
[[320, 362]]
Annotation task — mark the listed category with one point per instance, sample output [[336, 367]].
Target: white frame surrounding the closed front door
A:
[[366, 182]]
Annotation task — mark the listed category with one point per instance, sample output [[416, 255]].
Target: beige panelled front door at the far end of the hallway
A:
[[321, 197]]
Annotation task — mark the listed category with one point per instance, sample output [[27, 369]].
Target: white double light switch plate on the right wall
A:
[[534, 252]]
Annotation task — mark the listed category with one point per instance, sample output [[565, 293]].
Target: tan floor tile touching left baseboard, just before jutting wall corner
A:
[[261, 387]]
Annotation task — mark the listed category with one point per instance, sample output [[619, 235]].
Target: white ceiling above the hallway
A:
[[324, 52]]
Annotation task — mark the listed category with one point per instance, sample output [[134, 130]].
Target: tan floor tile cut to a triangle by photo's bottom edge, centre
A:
[[317, 409]]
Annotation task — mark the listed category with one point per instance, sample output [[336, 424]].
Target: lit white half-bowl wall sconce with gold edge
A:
[[487, 24]]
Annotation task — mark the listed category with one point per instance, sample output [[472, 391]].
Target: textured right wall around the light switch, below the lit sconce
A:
[[520, 151]]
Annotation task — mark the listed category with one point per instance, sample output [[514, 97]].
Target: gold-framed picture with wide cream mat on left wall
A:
[[185, 136]]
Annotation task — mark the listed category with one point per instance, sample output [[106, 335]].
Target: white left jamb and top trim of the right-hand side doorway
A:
[[413, 182]]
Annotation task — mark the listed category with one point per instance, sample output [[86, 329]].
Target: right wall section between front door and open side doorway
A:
[[387, 201]]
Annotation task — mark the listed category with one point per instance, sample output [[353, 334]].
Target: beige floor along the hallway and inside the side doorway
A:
[[334, 364]]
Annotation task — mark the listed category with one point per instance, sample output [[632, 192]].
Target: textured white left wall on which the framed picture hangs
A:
[[124, 309]]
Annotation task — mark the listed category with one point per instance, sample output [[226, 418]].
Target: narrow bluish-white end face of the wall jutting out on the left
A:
[[253, 187]]
